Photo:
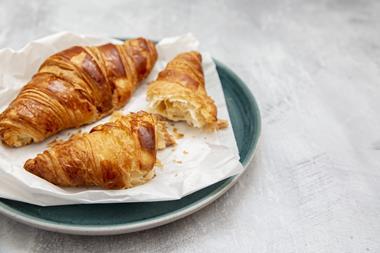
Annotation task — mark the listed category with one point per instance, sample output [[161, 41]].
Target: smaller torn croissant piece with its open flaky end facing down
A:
[[179, 93]]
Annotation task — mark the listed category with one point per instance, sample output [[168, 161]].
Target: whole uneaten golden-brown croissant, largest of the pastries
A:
[[74, 87]]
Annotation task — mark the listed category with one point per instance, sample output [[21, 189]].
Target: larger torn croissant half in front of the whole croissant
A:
[[116, 155]]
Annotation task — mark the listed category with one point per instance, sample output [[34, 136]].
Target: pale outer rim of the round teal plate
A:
[[151, 222]]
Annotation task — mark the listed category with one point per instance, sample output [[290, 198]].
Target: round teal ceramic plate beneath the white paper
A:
[[103, 219]]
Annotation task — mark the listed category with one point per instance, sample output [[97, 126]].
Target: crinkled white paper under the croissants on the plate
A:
[[198, 160]]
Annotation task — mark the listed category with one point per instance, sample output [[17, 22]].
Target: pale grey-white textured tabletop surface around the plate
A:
[[314, 185]]
